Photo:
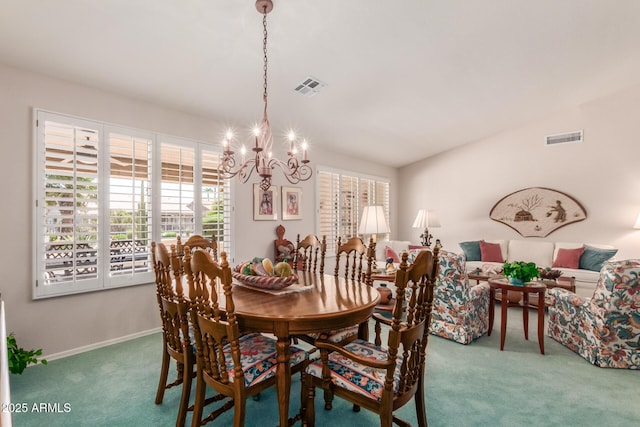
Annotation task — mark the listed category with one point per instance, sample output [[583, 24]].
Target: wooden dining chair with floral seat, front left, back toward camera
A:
[[234, 364]]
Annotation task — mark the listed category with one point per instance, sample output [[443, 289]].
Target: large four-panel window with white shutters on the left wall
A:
[[104, 192]]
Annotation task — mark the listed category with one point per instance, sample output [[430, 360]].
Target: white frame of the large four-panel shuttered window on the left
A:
[[107, 276]]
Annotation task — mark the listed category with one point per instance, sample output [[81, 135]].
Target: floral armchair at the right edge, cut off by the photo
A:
[[604, 329]]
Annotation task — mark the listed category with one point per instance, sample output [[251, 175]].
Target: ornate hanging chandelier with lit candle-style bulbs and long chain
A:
[[262, 160]]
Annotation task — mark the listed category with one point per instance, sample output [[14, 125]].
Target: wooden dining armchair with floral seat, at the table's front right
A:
[[382, 379]]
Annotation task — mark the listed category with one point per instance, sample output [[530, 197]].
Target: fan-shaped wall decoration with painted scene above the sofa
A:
[[537, 211]]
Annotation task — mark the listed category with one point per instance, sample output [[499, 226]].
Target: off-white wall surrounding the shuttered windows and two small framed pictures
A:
[[65, 323]]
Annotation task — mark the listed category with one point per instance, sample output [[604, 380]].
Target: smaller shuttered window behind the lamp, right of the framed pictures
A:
[[341, 199]]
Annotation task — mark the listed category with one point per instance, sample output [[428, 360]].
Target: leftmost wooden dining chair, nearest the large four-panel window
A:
[[177, 344]]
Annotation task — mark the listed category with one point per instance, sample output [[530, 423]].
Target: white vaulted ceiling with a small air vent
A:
[[405, 79]]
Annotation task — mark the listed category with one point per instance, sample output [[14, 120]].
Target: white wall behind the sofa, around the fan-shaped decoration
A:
[[602, 173]]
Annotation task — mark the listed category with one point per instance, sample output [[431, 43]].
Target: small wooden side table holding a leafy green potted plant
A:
[[529, 288]]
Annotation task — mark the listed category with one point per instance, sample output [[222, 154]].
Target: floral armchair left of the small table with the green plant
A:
[[460, 310]]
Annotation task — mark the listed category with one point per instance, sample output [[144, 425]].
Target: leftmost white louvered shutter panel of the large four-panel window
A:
[[67, 217]]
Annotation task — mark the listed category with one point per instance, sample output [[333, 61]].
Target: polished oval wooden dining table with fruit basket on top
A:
[[327, 303]]
